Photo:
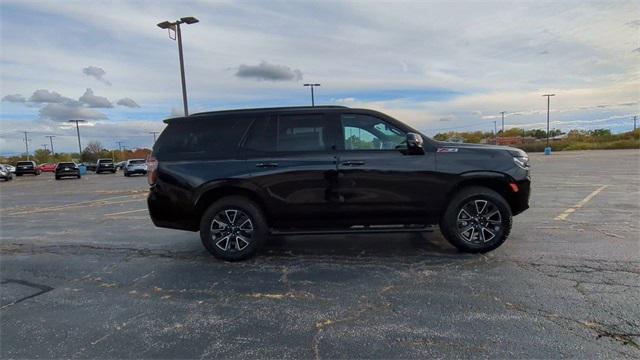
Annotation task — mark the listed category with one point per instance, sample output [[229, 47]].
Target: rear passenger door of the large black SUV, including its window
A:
[[295, 167]]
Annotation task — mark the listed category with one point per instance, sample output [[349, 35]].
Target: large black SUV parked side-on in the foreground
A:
[[238, 176]]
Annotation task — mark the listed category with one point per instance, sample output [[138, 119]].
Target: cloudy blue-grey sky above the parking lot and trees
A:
[[436, 65]]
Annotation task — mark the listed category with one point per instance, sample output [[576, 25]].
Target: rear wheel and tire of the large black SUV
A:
[[237, 248]]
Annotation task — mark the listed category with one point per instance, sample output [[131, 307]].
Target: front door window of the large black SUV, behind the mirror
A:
[[364, 132]]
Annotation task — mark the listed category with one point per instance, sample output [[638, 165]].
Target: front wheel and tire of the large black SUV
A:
[[481, 225]]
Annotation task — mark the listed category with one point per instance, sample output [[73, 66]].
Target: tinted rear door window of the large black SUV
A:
[[289, 133]]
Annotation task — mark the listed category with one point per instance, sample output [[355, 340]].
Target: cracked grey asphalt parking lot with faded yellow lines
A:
[[85, 274]]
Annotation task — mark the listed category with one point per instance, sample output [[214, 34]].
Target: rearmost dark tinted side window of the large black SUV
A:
[[203, 137]]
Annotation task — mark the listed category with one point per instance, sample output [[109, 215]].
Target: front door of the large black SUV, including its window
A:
[[377, 181]]
